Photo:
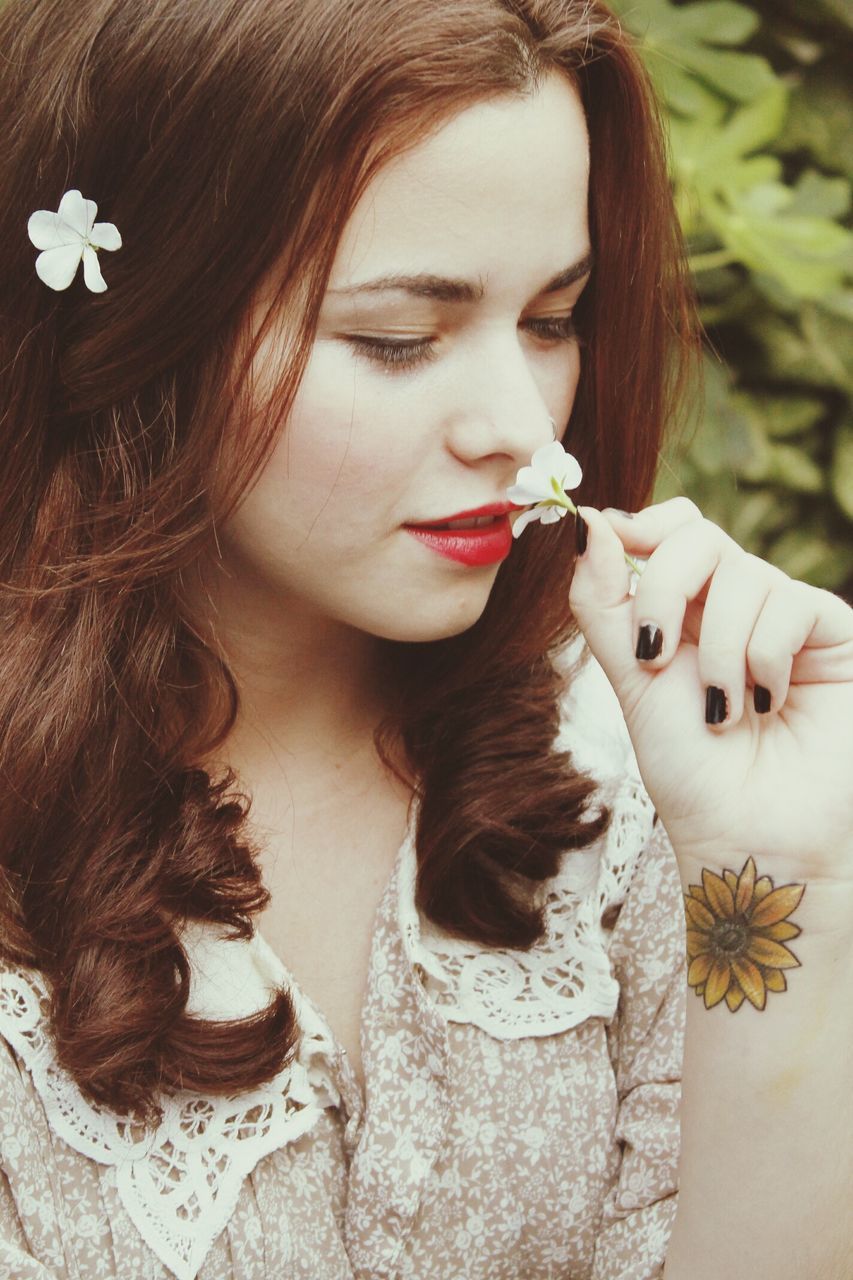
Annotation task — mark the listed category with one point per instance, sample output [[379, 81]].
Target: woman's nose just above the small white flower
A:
[[505, 412]]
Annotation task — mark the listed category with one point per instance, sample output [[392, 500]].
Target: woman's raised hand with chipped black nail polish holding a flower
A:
[[779, 785]]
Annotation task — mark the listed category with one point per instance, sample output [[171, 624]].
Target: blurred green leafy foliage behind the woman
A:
[[761, 125]]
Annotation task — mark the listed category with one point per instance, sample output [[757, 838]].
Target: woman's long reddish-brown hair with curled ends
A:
[[223, 136]]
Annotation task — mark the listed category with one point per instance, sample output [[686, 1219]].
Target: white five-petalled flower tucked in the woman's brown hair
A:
[[67, 237]]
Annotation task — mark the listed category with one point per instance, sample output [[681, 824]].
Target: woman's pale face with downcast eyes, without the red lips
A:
[[422, 401]]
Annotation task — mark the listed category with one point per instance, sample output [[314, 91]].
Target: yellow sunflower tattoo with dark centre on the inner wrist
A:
[[737, 930]]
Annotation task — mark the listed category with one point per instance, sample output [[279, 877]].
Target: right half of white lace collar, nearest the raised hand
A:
[[567, 979]]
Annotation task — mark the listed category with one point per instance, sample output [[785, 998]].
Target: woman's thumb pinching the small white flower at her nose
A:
[[604, 609]]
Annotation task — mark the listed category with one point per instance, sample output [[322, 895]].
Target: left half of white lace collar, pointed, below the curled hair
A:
[[181, 1182]]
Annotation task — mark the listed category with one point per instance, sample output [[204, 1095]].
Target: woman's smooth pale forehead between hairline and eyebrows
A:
[[498, 193]]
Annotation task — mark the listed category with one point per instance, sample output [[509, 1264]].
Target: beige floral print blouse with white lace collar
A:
[[521, 1110]]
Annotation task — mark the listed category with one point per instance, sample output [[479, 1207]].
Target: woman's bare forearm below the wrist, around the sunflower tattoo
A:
[[768, 1117]]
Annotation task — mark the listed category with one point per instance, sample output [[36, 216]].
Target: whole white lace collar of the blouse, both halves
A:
[[180, 1185]]
